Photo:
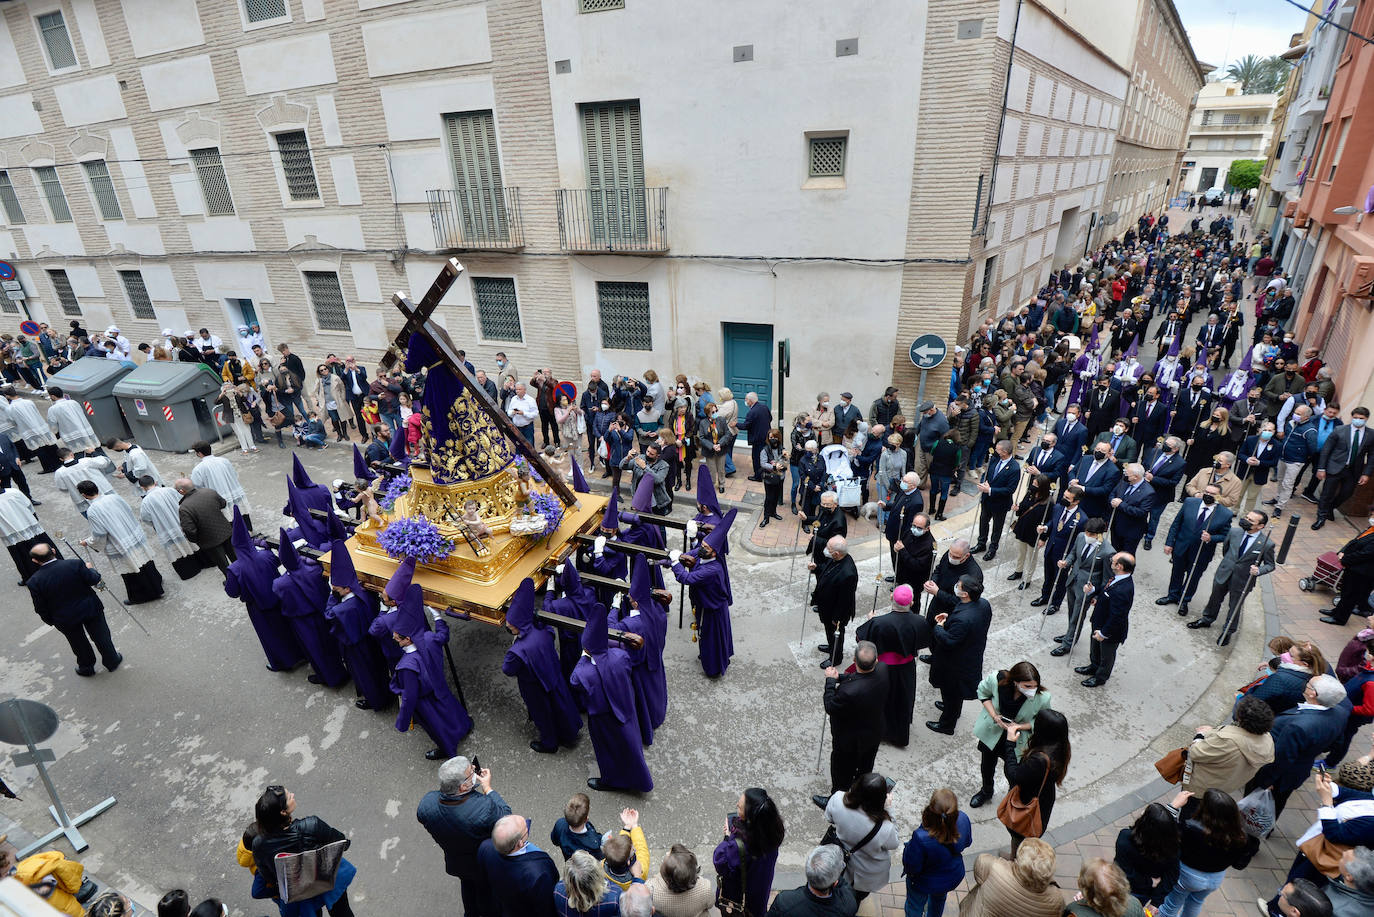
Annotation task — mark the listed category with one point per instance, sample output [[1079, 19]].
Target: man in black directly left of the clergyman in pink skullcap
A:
[[855, 703]]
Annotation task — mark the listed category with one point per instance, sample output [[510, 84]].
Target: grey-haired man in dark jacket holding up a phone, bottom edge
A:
[[460, 816]]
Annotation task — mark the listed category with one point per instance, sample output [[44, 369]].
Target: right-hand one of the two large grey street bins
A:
[[171, 406]]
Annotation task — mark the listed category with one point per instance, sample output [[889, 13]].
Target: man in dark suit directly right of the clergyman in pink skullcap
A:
[[961, 639]]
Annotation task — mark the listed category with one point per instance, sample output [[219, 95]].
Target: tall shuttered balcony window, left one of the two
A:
[[477, 177]]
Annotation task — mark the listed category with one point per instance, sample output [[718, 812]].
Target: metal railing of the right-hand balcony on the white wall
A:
[[613, 219]]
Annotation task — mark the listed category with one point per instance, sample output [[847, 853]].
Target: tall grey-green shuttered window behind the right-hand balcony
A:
[[616, 171]]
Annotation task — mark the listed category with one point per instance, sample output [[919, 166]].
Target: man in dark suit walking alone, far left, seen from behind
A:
[[63, 597]]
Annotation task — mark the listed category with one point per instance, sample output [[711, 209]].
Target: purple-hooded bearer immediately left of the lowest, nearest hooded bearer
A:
[[532, 662]]
